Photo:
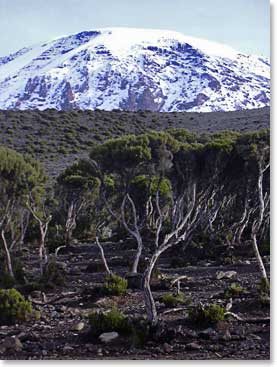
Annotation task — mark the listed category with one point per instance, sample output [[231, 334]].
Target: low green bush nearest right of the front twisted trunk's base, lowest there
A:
[[206, 314]]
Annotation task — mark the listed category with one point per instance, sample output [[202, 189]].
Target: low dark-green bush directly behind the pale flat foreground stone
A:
[[107, 322]]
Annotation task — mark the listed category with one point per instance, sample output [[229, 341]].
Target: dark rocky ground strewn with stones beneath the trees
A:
[[61, 331]]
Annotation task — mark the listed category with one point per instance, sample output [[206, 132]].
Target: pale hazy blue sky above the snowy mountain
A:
[[242, 24]]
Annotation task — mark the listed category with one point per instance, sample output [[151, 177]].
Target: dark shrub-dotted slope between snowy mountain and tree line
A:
[[57, 138]]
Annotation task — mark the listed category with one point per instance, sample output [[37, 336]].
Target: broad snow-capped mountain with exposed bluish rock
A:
[[133, 69]]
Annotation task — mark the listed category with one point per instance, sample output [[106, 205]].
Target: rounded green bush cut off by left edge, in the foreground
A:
[[13, 307]]
